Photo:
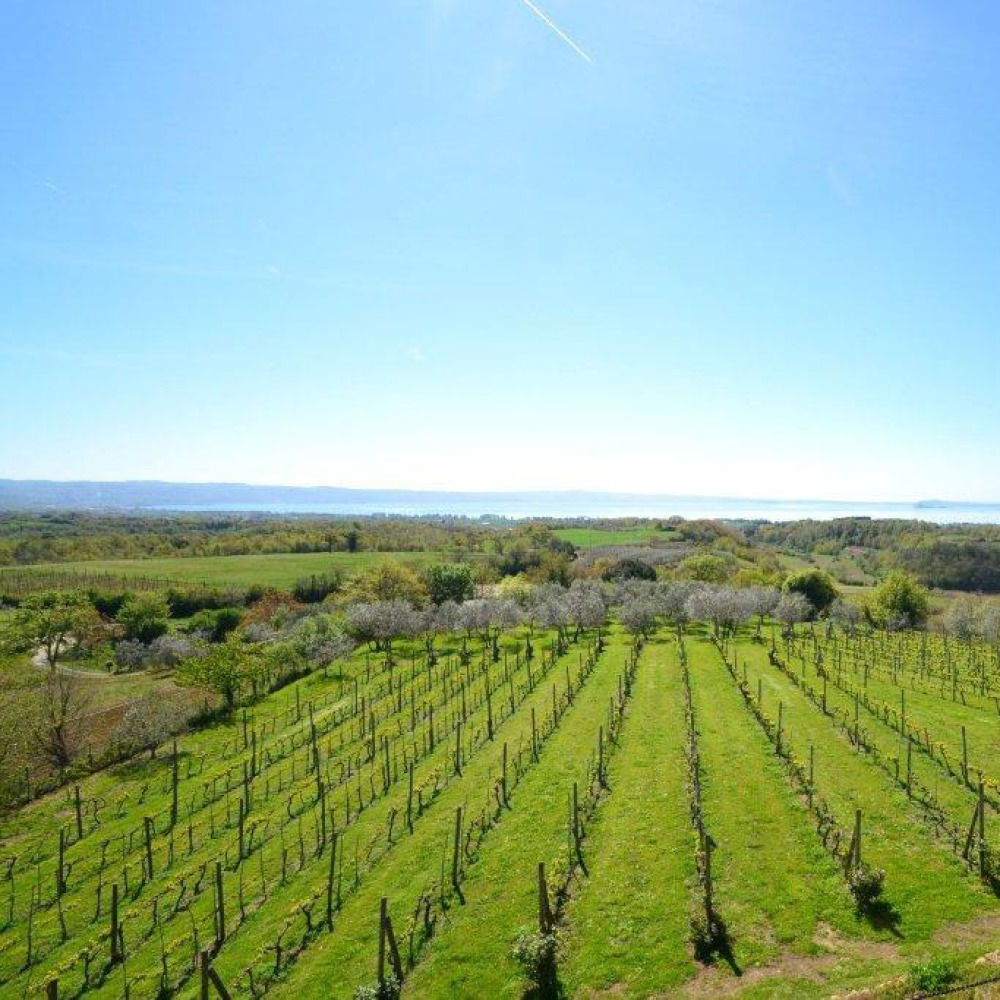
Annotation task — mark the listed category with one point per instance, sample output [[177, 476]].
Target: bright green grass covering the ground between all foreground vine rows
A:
[[794, 932]]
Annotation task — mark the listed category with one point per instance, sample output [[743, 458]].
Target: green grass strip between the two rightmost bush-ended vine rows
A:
[[774, 883]]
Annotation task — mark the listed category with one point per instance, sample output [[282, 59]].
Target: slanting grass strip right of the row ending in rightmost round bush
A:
[[925, 884]]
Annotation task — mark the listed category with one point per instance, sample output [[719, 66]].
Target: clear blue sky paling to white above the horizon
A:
[[723, 246]]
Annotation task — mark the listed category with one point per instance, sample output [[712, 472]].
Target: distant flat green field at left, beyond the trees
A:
[[281, 570]]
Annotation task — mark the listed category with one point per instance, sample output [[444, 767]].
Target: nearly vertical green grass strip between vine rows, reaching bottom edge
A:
[[627, 925]]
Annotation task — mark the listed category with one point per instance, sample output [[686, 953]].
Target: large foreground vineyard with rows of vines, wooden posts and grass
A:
[[697, 809]]
